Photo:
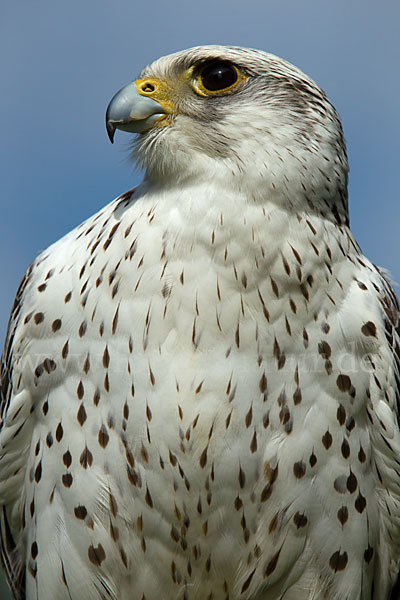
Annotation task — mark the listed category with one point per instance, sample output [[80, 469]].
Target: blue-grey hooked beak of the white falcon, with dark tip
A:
[[130, 111]]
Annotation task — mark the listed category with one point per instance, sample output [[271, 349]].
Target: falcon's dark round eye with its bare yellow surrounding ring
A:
[[217, 77]]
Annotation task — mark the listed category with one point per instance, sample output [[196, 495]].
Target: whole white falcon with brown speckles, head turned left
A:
[[200, 383]]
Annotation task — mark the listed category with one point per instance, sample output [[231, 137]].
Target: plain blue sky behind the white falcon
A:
[[62, 62]]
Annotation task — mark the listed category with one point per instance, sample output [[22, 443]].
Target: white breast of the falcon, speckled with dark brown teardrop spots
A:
[[199, 394]]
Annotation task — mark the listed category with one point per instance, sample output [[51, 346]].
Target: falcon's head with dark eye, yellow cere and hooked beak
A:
[[244, 117]]
